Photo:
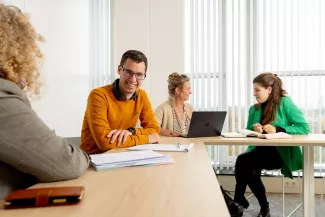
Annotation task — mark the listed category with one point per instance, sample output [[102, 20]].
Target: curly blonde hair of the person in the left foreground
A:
[[20, 56]]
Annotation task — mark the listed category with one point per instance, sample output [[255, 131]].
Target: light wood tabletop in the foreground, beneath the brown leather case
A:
[[187, 188]]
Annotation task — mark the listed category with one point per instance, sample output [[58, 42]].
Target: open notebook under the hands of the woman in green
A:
[[249, 133]]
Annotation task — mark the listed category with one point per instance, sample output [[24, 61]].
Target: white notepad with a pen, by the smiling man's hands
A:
[[163, 147]]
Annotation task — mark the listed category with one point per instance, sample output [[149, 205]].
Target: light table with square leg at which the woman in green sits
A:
[[308, 142]]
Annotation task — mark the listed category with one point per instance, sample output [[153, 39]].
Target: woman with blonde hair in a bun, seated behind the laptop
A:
[[175, 114]]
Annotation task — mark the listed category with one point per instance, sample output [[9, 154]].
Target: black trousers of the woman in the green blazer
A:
[[248, 172]]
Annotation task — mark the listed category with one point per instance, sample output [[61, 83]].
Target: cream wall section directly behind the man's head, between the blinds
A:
[[157, 28]]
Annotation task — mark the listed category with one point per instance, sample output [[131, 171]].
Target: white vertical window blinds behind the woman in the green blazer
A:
[[230, 42]]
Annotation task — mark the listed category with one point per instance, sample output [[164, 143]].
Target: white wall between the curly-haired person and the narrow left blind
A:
[[65, 26]]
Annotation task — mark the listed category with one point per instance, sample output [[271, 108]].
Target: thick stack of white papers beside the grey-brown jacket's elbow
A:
[[128, 159]]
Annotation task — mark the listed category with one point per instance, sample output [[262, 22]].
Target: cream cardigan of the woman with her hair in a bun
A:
[[166, 117]]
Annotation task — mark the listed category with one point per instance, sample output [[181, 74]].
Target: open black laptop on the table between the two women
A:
[[206, 124]]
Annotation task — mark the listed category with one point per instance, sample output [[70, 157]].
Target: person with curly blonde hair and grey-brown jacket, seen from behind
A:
[[30, 152]]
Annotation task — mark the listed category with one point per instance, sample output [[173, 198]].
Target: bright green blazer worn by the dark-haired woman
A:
[[290, 118]]
